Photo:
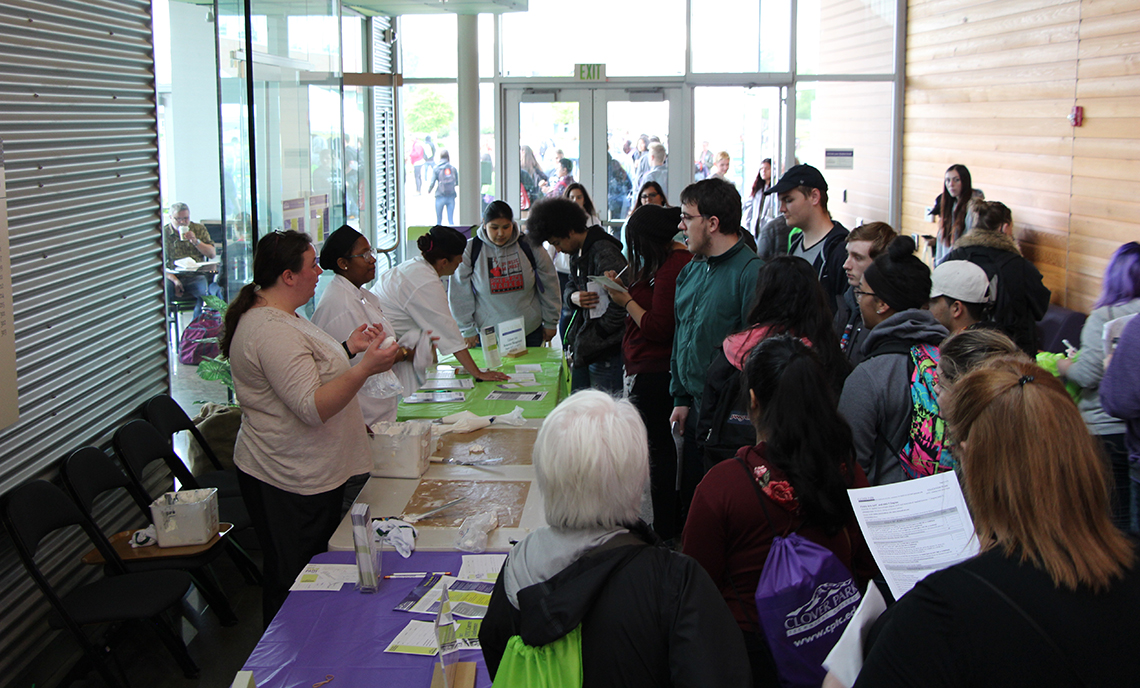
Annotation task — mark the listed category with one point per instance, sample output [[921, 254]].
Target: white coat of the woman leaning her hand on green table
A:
[[413, 297]]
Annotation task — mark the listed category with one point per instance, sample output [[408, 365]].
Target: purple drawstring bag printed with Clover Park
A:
[[805, 600]]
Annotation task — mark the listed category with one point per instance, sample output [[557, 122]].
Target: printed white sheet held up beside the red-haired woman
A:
[[916, 528]]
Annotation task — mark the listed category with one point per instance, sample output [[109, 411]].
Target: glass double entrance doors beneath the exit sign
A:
[[599, 132]]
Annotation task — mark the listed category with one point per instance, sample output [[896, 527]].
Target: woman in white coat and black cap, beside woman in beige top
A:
[[346, 305]]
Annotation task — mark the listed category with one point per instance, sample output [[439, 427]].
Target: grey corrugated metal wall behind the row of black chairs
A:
[[78, 125]]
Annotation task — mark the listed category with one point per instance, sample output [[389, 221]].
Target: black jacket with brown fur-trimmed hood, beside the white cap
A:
[[1022, 298]]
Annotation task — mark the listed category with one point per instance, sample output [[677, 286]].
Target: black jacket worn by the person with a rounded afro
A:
[[591, 340]]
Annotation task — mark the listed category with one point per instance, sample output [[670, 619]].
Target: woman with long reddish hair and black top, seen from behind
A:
[[1054, 597]]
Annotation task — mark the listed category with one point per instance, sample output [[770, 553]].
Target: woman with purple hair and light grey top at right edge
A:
[[1119, 299]]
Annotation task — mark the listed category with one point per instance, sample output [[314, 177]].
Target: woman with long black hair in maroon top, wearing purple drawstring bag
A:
[[803, 466]]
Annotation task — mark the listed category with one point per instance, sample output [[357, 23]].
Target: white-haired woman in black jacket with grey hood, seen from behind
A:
[[646, 616]]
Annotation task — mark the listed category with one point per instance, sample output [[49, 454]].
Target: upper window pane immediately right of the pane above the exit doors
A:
[[727, 36]]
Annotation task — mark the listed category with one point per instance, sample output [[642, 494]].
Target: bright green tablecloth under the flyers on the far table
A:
[[552, 380]]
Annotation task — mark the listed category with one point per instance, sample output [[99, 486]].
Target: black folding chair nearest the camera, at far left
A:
[[36, 510]]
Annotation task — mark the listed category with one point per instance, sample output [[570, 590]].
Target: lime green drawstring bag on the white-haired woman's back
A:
[[553, 666]]
